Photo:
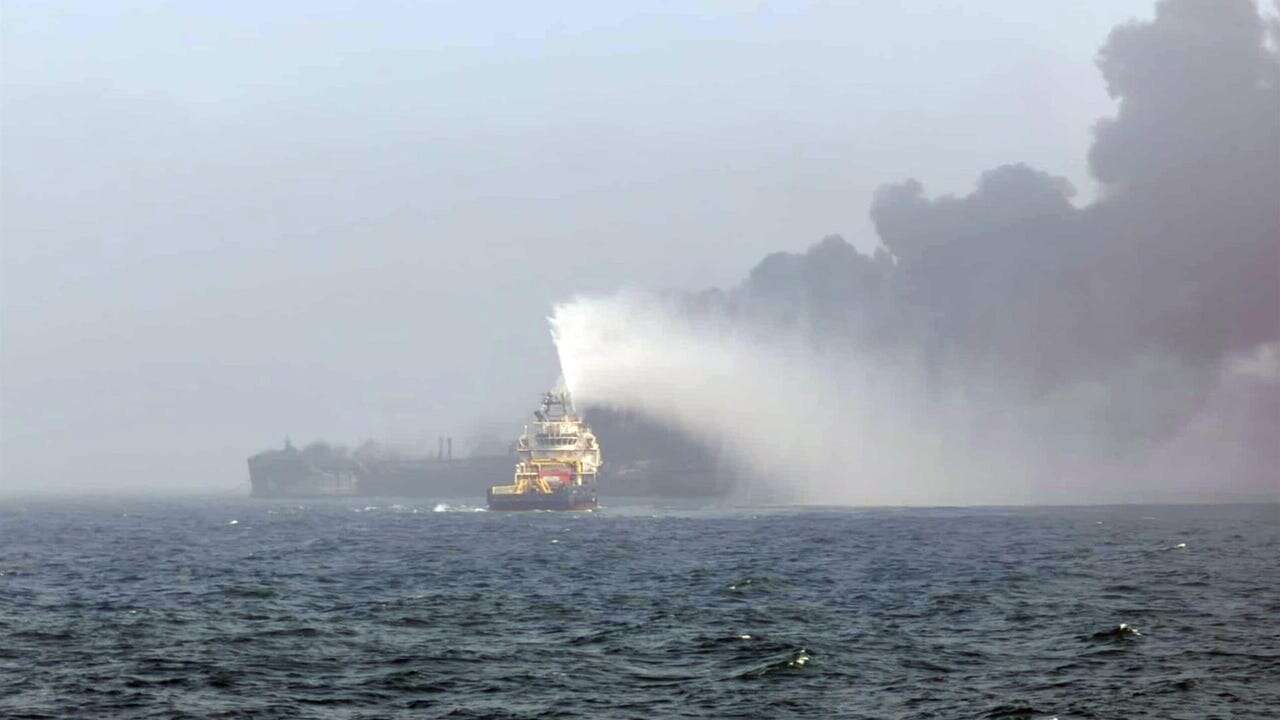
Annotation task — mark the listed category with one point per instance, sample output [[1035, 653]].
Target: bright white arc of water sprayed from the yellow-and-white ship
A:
[[802, 427]]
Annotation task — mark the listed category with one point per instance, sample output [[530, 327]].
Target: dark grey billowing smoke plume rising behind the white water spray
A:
[[1135, 335]]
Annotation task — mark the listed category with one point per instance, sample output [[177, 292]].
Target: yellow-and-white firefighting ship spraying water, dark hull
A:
[[559, 459]]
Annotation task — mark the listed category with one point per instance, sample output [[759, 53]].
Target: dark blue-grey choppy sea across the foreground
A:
[[335, 609]]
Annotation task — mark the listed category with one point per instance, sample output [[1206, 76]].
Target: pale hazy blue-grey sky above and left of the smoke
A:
[[225, 224]]
